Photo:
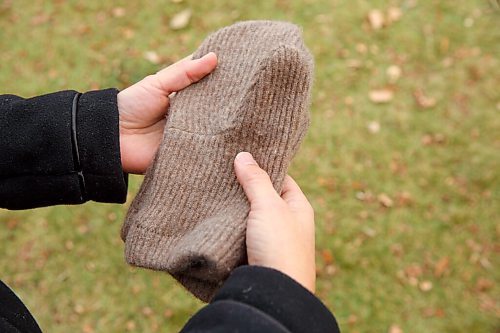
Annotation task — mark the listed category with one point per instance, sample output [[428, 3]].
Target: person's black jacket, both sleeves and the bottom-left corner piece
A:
[[63, 148]]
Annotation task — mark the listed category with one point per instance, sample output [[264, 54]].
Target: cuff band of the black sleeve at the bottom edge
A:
[[280, 297]]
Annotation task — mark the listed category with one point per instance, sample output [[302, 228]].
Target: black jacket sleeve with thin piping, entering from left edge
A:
[[60, 148]]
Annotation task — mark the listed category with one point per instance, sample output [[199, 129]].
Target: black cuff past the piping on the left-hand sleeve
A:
[[98, 140]]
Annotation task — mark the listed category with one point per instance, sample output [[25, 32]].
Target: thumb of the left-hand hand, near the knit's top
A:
[[185, 72]]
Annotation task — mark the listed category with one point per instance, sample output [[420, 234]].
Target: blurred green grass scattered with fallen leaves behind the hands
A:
[[401, 162]]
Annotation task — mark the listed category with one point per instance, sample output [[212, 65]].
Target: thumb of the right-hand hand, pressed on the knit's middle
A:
[[255, 181]]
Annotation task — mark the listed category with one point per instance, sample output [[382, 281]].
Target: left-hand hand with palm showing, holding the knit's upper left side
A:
[[143, 108]]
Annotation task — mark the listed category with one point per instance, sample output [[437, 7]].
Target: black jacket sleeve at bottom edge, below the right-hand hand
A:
[[258, 299]]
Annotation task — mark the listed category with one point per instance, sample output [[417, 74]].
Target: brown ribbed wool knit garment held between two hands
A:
[[189, 217]]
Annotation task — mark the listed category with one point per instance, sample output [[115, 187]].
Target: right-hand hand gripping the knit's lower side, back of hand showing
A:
[[280, 229]]
